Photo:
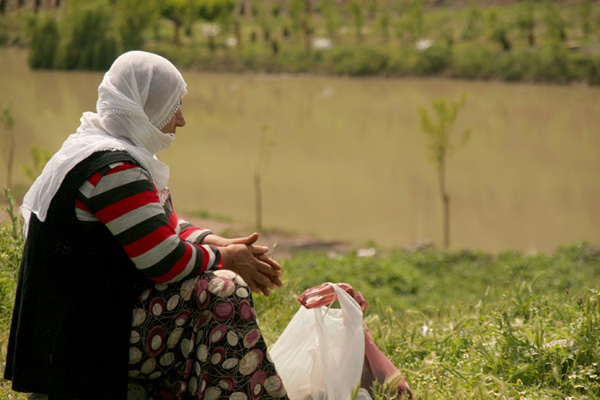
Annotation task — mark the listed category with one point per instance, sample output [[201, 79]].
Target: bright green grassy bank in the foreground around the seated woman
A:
[[459, 324]]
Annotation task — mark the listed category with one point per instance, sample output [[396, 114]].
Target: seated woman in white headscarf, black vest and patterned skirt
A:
[[113, 286]]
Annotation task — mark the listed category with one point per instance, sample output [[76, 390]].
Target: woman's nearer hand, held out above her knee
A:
[[260, 272]]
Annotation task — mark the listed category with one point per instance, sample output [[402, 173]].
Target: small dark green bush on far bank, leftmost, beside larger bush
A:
[[44, 42]]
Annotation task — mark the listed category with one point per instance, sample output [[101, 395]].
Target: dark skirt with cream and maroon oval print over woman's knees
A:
[[199, 339]]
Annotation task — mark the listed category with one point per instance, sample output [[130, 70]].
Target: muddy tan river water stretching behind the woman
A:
[[345, 158]]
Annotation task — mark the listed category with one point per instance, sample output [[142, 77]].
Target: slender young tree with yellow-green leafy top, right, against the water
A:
[[438, 132]]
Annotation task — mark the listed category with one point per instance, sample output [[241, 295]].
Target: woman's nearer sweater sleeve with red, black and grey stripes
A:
[[123, 198]]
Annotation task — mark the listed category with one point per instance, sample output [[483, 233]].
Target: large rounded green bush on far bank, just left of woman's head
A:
[[88, 40]]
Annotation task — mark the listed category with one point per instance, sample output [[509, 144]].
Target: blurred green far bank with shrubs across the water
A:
[[556, 42]]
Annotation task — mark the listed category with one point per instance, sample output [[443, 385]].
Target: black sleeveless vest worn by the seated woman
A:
[[72, 319]]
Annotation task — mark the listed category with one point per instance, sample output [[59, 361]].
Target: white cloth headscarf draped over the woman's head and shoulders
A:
[[138, 96]]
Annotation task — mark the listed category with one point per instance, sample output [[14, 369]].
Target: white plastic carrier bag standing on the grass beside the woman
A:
[[320, 354]]
